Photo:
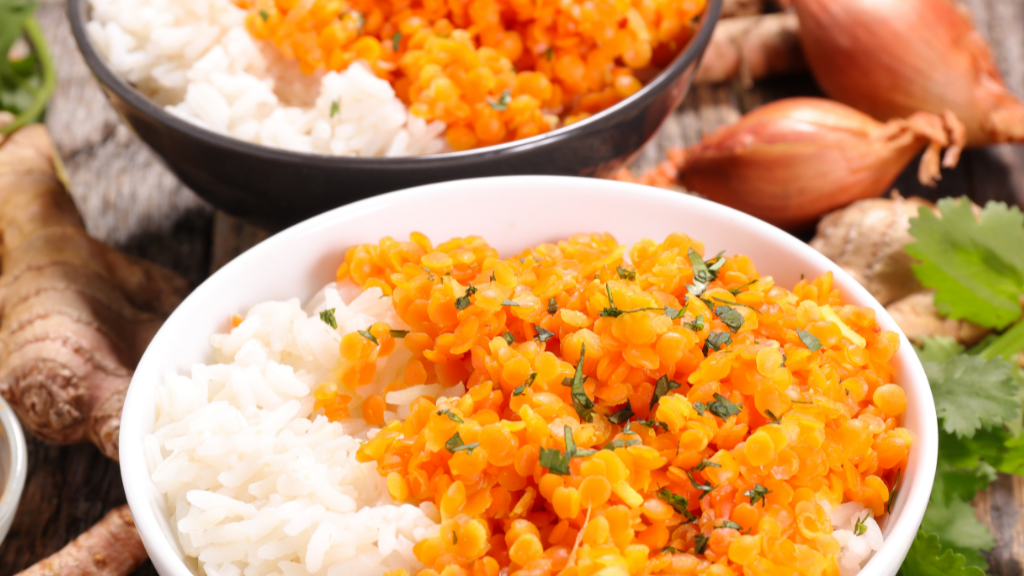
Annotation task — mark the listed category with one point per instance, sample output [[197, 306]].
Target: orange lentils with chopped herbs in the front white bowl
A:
[[677, 415]]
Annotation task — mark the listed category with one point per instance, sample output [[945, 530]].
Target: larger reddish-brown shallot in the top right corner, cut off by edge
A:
[[891, 59]]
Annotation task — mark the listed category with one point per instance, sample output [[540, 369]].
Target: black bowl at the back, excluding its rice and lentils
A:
[[275, 188]]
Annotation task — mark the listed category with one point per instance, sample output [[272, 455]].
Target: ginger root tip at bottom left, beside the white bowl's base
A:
[[111, 548]]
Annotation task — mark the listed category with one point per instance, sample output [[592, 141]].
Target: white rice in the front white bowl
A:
[[255, 484]]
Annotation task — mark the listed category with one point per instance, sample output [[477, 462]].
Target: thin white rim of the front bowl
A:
[[905, 528]]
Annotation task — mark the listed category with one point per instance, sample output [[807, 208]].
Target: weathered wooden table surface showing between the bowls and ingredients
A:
[[130, 200]]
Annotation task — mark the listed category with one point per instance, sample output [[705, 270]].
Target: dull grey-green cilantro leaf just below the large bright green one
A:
[[972, 393]]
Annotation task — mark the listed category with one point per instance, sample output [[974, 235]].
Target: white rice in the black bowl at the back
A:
[[196, 59]]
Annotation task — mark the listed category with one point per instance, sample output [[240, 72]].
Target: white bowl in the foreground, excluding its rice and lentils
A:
[[511, 213]]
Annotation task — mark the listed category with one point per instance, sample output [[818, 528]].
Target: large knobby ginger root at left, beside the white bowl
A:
[[75, 315]]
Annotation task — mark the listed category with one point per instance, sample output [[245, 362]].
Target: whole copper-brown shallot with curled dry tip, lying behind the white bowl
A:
[[795, 160]]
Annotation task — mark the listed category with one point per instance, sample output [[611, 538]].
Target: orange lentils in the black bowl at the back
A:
[[493, 70]]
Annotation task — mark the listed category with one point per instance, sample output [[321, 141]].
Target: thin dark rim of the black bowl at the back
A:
[[77, 17]]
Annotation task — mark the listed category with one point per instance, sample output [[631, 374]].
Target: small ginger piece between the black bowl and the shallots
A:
[[750, 49]]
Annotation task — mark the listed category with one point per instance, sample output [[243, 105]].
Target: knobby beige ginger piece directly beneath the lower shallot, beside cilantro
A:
[[867, 239]]
